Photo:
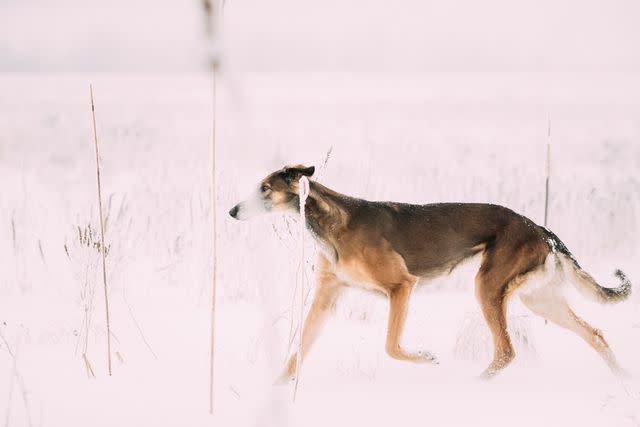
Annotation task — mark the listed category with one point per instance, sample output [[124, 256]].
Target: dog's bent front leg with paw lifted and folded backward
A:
[[398, 305]]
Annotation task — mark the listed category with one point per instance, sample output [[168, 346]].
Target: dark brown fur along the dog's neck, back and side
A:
[[430, 238]]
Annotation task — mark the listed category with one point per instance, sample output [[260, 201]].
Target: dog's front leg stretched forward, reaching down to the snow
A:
[[327, 291]]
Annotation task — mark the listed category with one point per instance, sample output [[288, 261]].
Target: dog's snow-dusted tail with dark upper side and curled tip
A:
[[583, 281]]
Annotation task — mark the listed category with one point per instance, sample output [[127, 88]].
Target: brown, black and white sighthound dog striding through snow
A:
[[387, 247]]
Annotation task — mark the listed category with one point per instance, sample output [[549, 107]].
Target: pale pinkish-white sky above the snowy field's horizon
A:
[[327, 35]]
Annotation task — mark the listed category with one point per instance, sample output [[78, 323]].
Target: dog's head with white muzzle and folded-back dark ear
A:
[[278, 192]]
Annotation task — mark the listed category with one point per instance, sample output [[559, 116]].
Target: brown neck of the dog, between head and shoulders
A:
[[326, 212]]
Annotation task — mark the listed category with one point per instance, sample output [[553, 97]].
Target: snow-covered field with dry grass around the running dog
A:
[[413, 138]]
